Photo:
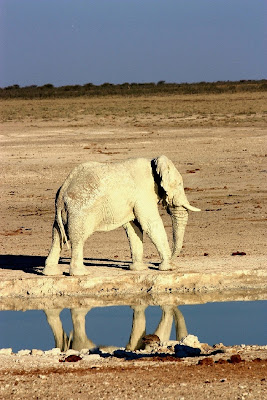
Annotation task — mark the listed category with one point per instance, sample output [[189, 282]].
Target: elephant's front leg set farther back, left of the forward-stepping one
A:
[[135, 236]]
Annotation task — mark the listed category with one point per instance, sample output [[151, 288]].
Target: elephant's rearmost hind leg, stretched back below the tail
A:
[[51, 263]]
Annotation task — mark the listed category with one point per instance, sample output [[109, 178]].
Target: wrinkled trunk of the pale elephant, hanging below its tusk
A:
[[179, 216]]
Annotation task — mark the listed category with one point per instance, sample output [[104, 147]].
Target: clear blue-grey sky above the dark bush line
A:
[[79, 41]]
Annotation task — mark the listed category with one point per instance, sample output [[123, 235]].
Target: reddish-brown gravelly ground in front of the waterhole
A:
[[114, 379]]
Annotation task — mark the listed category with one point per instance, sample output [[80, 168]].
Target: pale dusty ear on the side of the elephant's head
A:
[[168, 177]]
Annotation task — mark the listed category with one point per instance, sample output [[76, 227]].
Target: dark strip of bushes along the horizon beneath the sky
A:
[[131, 89]]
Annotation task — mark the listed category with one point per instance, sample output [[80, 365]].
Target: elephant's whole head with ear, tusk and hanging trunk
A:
[[171, 190]]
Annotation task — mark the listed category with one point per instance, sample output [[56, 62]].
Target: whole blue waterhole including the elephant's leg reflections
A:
[[230, 323]]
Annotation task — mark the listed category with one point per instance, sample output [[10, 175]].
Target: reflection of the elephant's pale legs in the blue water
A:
[[78, 339]]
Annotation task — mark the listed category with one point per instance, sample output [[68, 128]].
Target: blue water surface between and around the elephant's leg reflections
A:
[[230, 323]]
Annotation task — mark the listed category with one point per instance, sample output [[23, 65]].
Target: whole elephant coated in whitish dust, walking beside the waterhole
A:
[[104, 196]]
